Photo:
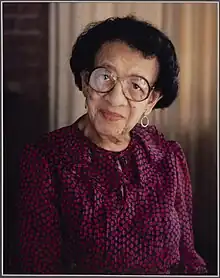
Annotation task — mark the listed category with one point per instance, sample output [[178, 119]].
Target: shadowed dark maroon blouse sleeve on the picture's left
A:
[[39, 225]]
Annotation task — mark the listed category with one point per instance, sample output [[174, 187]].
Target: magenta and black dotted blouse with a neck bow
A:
[[91, 211]]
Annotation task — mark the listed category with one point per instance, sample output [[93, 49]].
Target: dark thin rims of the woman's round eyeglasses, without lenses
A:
[[118, 78]]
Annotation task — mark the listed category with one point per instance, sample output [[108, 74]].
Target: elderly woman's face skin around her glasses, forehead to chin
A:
[[112, 114]]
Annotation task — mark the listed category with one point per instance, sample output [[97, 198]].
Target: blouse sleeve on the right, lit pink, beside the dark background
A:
[[190, 261]]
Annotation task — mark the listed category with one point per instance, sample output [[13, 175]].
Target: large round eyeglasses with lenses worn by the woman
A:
[[135, 88]]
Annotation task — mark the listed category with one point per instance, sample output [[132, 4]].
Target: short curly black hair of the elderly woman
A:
[[138, 34]]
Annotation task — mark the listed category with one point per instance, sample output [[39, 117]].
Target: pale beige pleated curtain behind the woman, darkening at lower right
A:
[[191, 120]]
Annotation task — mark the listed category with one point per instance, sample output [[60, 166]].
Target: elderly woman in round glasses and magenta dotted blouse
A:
[[108, 194]]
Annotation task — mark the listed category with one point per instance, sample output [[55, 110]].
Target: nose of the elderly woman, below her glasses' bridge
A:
[[116, 96]]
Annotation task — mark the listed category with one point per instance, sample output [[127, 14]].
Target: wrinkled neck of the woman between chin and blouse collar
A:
[[110, 143]]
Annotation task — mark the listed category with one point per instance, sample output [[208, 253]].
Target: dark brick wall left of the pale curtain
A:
[[25, 97]]
